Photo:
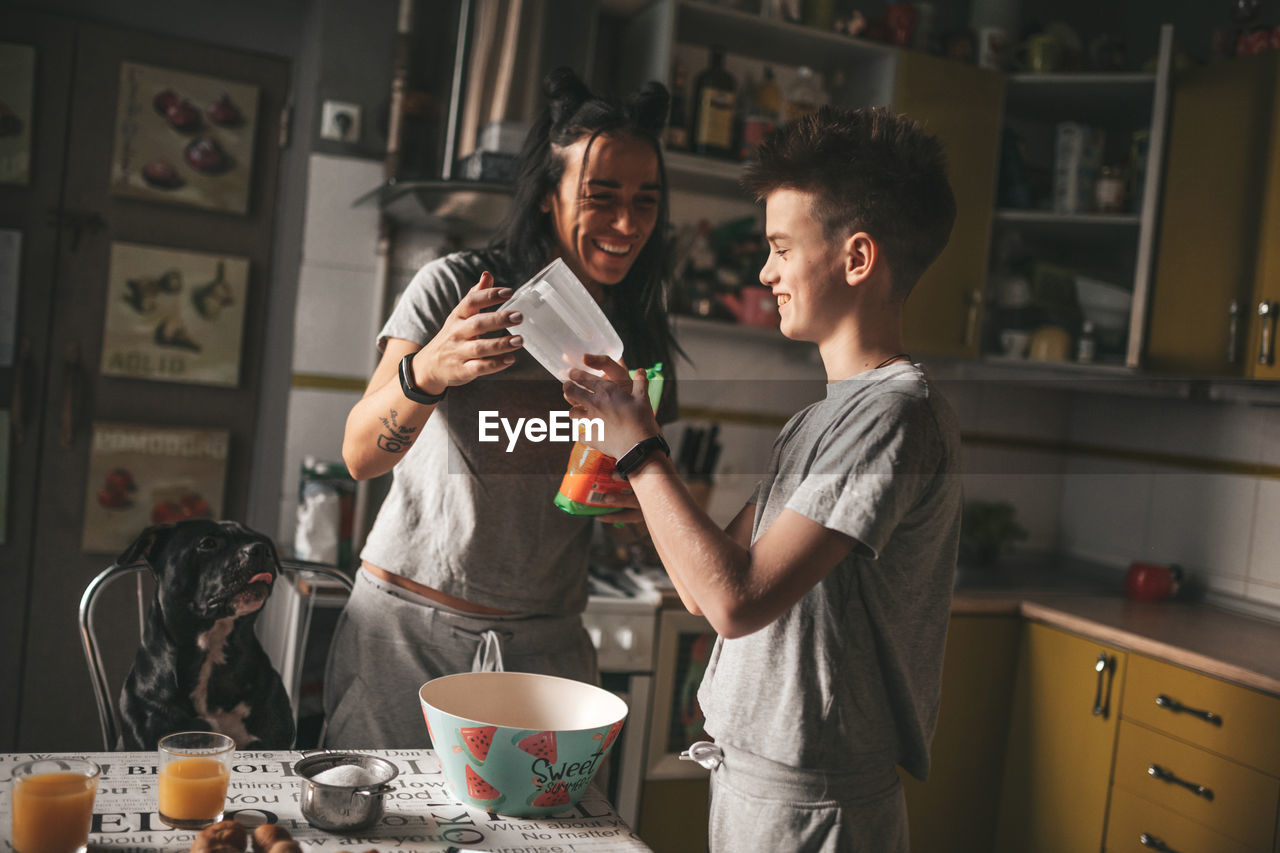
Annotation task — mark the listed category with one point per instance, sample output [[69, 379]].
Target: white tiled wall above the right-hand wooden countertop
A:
[[1090, 501]]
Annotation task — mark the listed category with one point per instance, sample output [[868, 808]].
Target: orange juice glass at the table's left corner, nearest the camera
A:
[[53, 805]]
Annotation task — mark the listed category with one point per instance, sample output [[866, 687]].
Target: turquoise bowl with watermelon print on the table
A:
[[518, 743]]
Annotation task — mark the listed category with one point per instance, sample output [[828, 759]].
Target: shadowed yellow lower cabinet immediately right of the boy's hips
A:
[[956, 810]]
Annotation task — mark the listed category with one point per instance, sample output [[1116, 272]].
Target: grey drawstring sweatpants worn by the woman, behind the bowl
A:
[[390, 642]]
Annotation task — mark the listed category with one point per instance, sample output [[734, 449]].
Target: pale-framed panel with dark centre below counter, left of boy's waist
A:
[[685, 645]]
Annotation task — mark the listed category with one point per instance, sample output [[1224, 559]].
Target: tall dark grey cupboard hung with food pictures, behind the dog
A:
[[68, 220]]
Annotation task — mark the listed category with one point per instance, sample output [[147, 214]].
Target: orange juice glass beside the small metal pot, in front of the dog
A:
[[195, 768]]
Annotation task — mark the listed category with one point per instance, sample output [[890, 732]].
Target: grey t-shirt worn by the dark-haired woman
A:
[[469, 518]]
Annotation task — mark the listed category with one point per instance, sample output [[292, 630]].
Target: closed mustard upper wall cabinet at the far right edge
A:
[[1218, 271]]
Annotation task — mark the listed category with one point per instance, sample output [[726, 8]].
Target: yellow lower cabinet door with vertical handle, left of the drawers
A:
[[1062, 743]]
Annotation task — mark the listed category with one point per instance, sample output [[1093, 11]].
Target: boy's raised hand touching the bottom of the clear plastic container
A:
[[619, 400]]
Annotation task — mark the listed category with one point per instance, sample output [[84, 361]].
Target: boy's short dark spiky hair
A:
[[870, 171]]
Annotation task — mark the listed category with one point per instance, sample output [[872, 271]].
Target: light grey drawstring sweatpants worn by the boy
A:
[[758, 805]]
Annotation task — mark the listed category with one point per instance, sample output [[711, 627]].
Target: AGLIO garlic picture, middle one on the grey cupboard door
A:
[[175, 316]]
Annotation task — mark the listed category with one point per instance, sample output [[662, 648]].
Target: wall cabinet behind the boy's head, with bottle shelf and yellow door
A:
[[961, 103]]
